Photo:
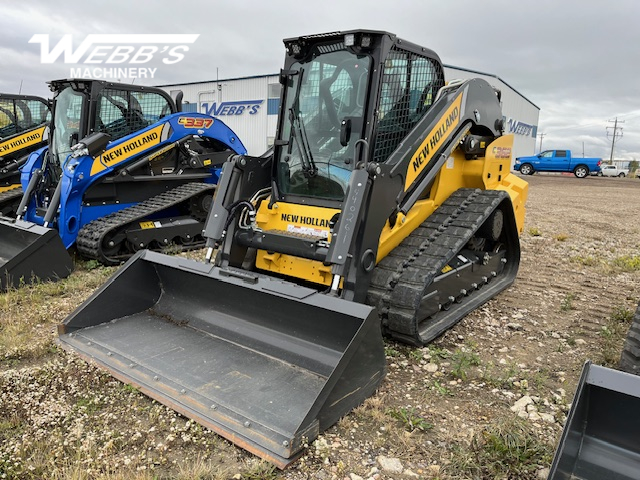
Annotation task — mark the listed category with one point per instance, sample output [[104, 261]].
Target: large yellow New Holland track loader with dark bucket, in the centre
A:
[[387, 206]]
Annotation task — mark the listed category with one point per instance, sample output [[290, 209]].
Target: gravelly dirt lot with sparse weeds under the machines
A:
[[486, 400]]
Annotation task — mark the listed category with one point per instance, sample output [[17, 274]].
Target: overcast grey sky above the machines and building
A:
[[578, 60]]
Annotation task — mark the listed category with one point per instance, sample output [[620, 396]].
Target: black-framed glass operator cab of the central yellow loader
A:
[[331, 123]]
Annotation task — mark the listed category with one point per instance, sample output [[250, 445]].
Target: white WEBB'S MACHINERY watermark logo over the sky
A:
[[115, 56]]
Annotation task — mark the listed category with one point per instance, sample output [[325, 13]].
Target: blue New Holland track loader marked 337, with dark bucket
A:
[[125, 170]]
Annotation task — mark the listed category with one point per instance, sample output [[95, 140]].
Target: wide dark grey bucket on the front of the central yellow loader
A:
[[265, 363]]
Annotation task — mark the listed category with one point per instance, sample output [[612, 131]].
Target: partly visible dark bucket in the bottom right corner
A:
[[600, 437]]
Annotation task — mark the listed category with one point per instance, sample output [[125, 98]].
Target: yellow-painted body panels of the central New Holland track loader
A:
[[489, 173]]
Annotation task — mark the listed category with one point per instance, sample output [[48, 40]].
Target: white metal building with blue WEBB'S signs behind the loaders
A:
[[249, 105]]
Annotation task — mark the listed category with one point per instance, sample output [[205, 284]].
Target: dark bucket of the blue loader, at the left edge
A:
[[29, 252]]
